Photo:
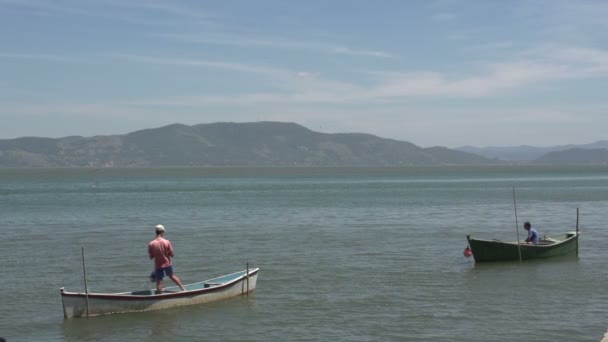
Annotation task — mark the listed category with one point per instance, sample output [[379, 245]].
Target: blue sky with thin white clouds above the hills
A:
[[434, 73]]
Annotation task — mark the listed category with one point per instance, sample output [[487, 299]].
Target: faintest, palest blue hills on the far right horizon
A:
[[526, 153]]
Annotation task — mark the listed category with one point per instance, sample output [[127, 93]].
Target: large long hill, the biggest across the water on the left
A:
[[225, 144]]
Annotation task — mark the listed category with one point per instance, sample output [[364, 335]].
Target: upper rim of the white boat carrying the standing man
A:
[[171, 295]]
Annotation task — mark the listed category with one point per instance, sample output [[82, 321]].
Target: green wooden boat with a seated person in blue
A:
[[549, 246]]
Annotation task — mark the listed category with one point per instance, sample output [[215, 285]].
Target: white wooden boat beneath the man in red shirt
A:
[[78, 304]]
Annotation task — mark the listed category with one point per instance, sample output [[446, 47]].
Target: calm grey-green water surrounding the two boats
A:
[[346, 254]]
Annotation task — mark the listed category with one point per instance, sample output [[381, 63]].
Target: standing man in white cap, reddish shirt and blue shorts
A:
[[161, 250]]
